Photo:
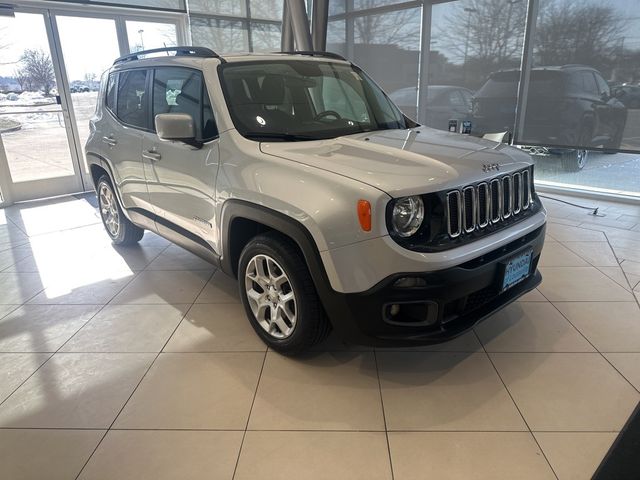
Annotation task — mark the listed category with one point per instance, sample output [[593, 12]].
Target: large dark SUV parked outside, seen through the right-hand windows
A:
[[570, 106]]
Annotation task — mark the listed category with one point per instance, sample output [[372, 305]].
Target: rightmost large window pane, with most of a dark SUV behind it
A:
[[583, 104]]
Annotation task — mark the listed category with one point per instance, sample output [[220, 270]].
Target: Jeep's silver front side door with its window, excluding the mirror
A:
[[181, 178]]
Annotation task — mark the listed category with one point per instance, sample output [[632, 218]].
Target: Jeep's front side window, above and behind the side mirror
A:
[[182, 90]]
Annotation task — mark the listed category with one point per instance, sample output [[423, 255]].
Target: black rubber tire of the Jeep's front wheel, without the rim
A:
[[311, 325]]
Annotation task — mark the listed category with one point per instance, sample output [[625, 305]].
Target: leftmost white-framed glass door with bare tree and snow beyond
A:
[[35, 137]]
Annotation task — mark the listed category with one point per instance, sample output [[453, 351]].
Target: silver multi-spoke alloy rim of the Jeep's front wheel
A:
[[271, 296]]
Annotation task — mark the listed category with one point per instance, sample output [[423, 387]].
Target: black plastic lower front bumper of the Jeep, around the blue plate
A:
[[451, 301]]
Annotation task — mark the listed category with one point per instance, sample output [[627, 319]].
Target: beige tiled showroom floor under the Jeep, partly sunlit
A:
[[138, 363]]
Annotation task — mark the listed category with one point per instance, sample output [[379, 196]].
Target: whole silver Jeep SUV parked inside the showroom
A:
[[295, 173]]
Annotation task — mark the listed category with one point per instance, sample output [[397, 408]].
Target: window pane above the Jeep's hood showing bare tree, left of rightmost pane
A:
[[471, 42]]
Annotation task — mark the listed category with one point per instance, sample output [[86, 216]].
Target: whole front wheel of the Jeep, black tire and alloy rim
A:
[[279, 296]]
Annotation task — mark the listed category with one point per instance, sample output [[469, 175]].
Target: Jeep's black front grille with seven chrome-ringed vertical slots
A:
[[475, 207]]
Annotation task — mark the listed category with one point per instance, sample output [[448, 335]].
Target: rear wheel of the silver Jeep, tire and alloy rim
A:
[[118, 227]]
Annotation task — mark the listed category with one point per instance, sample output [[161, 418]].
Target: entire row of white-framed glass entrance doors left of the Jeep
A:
[[51, 61]]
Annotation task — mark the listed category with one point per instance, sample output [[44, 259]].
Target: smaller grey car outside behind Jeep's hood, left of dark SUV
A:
[[444, 103]]
